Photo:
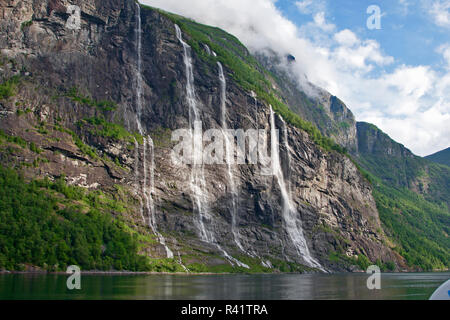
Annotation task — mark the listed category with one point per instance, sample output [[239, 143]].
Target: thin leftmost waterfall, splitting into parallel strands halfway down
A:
[[147, 191]]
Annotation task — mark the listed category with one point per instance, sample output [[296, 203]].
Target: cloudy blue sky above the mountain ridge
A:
[[396, 75]]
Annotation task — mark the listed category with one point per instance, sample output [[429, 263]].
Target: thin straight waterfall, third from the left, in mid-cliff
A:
[[229, 157]]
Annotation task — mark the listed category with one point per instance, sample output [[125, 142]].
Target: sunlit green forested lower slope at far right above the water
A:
[[418, 227]]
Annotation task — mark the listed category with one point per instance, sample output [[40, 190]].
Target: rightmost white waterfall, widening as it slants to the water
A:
[[291, 222]]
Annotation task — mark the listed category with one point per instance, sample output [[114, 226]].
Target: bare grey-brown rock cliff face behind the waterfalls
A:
[[95, 97]]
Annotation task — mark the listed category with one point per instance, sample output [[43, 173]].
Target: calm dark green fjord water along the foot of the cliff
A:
[[223, 287]]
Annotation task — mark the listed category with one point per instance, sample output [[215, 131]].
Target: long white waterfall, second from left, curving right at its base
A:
[[198, 182]]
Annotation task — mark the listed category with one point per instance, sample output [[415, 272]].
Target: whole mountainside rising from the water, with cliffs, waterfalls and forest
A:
[[90, 103]]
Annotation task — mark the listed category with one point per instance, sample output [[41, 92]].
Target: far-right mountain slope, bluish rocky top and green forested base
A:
[[412, 196]]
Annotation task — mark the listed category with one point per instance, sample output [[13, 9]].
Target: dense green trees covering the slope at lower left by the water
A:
[[51, 225]]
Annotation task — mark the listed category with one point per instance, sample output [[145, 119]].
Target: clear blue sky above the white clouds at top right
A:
[[406, 27]]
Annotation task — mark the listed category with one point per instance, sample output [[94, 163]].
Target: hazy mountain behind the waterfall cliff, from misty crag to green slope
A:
[[401, 181]]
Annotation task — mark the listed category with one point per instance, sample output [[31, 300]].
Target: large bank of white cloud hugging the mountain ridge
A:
[[410, 103]]
